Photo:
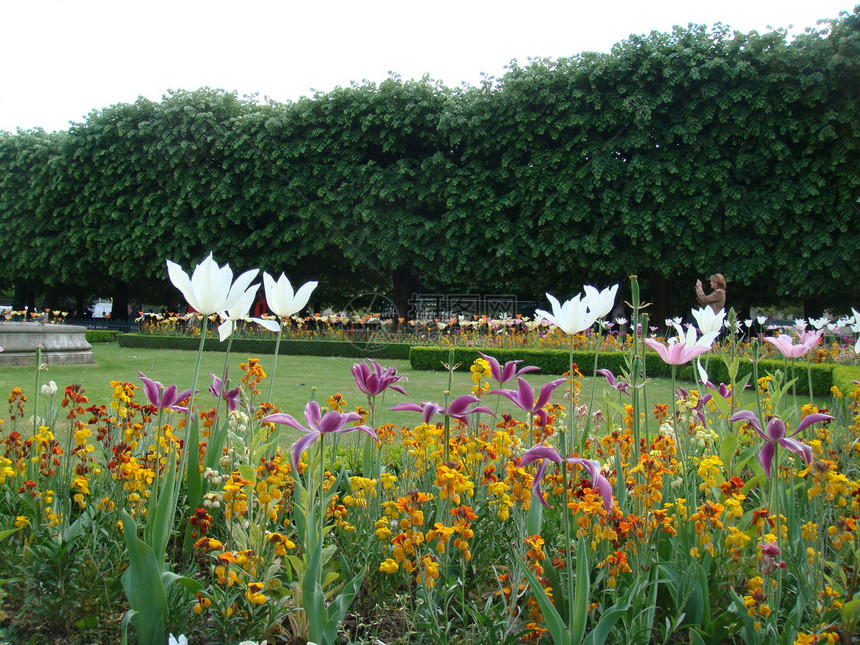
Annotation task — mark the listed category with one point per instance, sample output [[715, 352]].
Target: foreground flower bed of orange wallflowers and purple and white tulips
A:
[[570, 521]]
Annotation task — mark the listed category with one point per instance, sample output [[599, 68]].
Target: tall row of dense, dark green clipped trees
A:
[[672, 157]]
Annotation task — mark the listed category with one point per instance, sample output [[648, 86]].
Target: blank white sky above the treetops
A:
[[59, 59]]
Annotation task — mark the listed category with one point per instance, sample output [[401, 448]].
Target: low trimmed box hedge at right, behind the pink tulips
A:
[[556, 361]]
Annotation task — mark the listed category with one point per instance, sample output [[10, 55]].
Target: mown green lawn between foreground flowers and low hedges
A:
[[294, 380]]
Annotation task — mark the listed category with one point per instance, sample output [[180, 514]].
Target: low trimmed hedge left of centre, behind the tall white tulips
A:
[[257, 346]]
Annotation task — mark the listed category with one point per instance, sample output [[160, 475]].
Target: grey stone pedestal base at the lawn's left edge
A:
[[61, 344]]
